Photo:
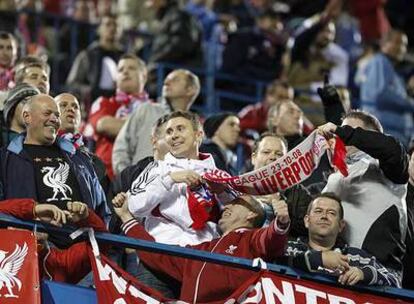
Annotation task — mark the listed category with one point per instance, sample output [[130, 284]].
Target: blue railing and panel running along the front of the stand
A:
[[52, 291]]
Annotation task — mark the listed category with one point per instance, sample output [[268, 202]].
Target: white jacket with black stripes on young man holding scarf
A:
[[163, 203]]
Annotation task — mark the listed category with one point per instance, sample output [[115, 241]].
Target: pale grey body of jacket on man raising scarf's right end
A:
[[370, 200]]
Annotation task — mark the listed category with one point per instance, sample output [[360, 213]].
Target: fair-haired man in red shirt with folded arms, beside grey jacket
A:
[[108, 115]]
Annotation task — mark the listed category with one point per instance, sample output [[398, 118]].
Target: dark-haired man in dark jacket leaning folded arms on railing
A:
[[323, 253]]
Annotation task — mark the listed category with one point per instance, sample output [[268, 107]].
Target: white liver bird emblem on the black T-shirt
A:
[[56, 179]]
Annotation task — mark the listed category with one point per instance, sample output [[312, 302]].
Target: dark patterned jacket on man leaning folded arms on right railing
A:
[[300, 255]]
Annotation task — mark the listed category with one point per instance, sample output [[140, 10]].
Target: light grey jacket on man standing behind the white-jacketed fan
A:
[[133, 142]]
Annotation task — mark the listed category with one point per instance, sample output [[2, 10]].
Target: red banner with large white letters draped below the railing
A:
[[115, 286]]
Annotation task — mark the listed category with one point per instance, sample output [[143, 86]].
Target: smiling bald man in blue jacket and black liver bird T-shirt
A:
[[46, 168]]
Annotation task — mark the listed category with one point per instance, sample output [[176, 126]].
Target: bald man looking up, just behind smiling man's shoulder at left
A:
[[70, 117]]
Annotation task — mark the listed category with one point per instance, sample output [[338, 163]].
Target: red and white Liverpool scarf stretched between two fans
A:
[[291, 169]]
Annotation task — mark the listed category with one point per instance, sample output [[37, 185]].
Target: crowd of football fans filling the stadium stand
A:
[[103, 150]]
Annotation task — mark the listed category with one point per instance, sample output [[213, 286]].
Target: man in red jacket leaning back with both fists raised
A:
[[200, 282]]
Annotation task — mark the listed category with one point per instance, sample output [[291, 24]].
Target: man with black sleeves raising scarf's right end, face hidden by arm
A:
[[373, 194]]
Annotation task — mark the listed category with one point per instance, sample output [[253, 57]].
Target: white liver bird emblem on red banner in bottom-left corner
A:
[[9, 267]]
